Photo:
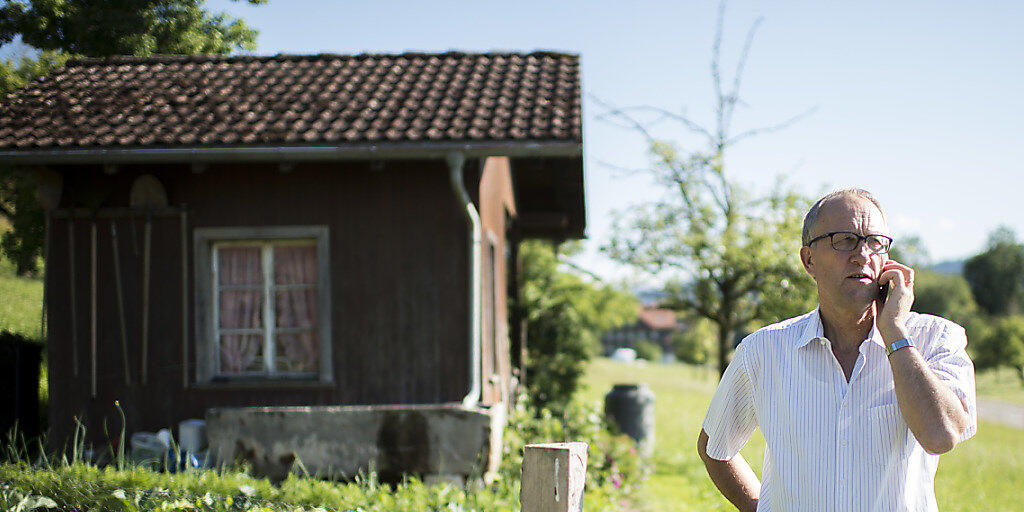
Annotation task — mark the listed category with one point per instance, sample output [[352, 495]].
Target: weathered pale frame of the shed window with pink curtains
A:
[[206, 242]]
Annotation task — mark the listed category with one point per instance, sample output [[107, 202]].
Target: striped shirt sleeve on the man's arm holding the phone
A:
[[948, 358]]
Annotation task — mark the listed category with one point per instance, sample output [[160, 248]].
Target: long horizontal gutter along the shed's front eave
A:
[[428, 150]]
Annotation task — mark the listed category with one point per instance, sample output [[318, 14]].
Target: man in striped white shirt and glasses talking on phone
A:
[[858, 399]]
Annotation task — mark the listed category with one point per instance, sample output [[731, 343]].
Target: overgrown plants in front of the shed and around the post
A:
[[615, 472]]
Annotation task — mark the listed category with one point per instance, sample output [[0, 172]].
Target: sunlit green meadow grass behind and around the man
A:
[[988, 471]]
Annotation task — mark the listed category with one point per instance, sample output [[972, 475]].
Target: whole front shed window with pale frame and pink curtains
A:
[[263, 304]]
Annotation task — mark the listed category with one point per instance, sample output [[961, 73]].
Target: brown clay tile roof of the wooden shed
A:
[[323, 100]]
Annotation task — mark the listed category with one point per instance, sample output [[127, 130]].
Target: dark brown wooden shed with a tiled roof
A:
[[316, 251]]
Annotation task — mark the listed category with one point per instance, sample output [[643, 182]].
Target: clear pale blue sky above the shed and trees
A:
[[918, 102]]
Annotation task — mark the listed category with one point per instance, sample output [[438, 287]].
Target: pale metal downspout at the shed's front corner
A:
[[456, 161]]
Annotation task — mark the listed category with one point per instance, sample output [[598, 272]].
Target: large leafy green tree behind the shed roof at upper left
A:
[[84, 28]]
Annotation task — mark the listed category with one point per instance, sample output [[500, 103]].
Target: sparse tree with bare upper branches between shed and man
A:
[[732, 257]]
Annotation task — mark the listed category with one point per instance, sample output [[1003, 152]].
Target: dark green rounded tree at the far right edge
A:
[[997, 276]]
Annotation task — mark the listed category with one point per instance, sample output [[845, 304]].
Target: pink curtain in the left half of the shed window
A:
[[241, 306]]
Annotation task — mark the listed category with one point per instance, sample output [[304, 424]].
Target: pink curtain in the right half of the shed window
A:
[[297, 347]]
